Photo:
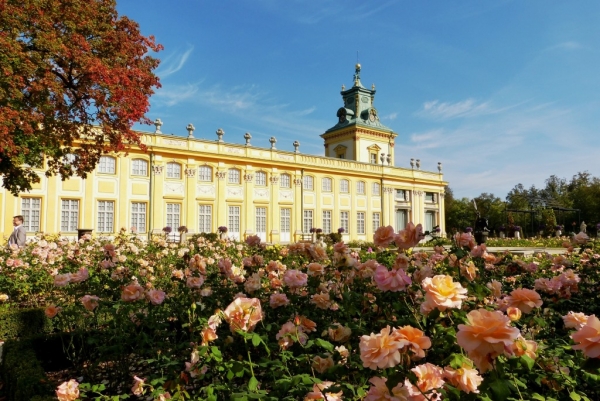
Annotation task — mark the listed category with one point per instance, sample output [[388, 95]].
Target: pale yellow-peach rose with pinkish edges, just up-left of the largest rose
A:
[[442, 293]]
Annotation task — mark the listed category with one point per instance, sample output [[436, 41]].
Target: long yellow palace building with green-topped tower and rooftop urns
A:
[[277, 195]]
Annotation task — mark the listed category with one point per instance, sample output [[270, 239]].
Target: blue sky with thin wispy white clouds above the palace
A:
[[500, 92]]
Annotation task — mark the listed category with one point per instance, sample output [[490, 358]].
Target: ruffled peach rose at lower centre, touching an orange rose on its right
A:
[[381, 350]]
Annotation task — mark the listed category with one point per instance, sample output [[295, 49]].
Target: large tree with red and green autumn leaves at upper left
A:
[[74, 78]]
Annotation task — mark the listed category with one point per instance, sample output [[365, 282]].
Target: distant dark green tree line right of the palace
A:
[[533, 209]]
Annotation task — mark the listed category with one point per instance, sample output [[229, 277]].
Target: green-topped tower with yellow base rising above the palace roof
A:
[[359, 134]]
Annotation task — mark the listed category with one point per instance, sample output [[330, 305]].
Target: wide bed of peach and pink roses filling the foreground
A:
[[215, 319]]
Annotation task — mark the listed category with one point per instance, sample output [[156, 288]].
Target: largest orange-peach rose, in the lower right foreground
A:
[[486, 336]]
